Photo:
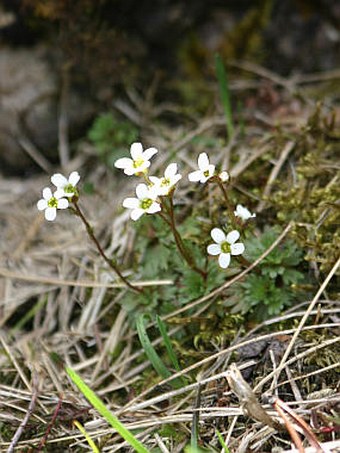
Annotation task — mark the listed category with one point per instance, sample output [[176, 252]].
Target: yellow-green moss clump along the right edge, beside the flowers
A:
[[311, 197]]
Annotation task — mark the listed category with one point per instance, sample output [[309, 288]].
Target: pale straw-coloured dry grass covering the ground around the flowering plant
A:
[[56, 295]]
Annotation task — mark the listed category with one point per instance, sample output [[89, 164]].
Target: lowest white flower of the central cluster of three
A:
[[144, 203]]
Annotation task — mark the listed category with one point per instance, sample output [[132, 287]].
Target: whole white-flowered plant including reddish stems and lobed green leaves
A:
[[179, 252]]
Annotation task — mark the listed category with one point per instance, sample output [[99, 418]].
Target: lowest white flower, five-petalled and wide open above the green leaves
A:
[[225, 246]]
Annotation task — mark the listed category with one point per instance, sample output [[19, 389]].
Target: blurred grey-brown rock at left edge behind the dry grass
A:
[[29, 105]]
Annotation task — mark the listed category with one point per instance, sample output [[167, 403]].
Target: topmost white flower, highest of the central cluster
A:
[[140, 160]]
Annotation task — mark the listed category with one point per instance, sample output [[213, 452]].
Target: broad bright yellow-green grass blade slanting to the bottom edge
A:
[[105, 412]]
